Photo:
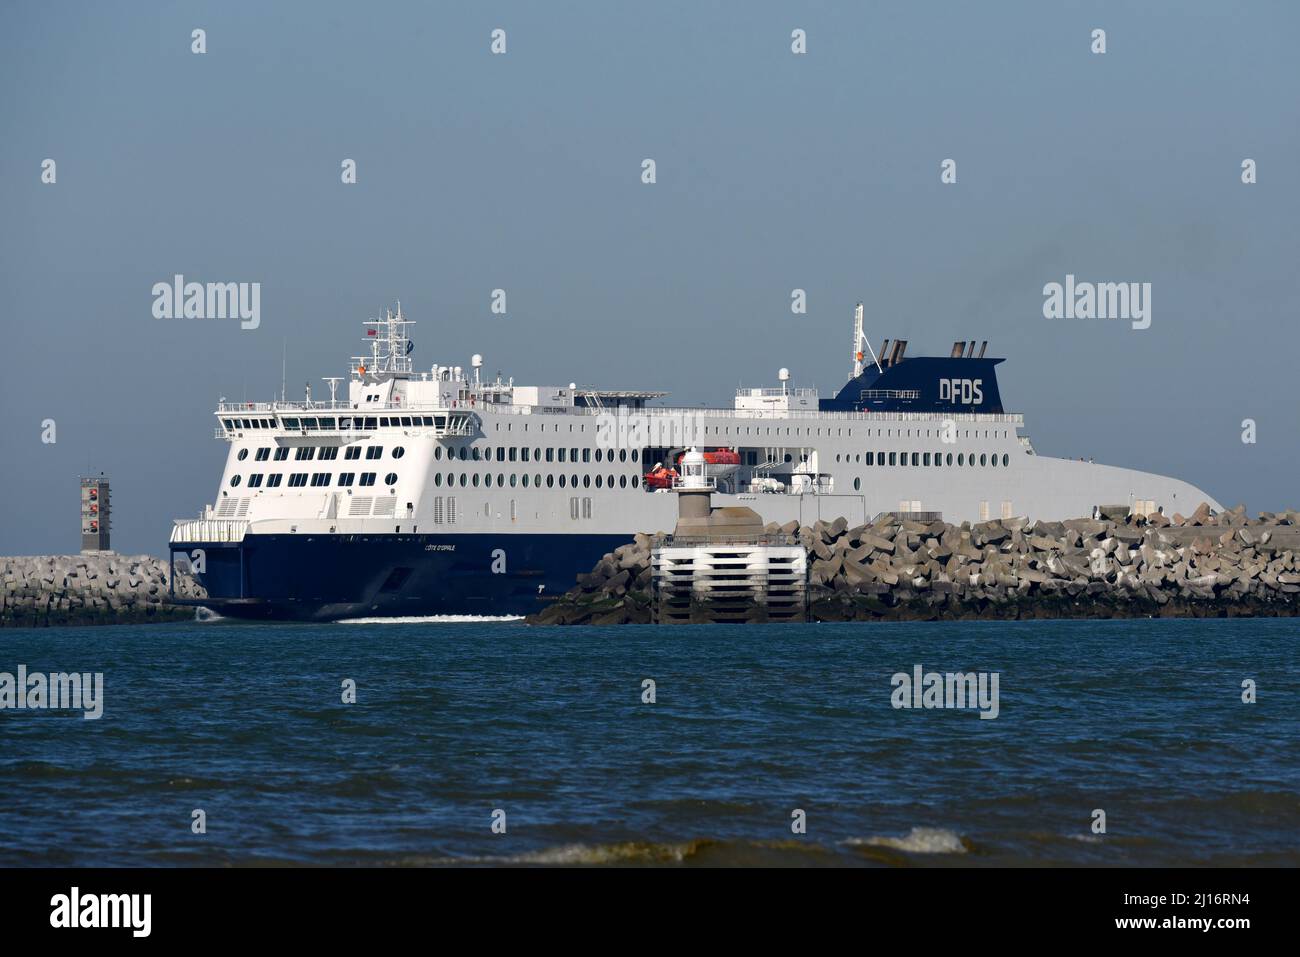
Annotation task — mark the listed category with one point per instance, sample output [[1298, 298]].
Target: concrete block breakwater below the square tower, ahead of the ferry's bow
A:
[[90, 590]]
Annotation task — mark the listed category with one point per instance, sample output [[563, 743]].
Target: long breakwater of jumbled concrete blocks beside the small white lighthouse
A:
[[895, 569]]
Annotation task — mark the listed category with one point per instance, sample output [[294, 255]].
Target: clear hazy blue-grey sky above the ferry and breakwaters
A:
[[522, 172]]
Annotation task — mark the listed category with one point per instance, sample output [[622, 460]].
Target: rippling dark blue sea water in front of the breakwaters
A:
[[751, 726]]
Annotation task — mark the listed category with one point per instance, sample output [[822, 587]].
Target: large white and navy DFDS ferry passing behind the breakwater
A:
[[441, 492]]
